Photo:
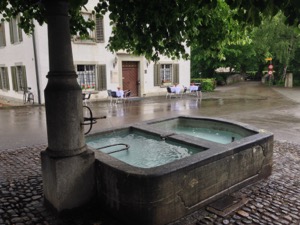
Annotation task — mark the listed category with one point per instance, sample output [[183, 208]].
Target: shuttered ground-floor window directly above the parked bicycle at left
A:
[[19, 78]]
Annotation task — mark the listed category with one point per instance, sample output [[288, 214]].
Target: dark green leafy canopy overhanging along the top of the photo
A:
[[152, 27]]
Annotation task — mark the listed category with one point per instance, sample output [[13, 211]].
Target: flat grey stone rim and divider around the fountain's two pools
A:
[[214, 151]]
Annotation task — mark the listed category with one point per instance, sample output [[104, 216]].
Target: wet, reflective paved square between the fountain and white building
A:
[[252, 103]]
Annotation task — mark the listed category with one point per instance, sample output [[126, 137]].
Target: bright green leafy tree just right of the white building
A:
[[230, 47]]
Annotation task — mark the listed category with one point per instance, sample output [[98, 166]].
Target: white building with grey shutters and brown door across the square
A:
[[24, 63]]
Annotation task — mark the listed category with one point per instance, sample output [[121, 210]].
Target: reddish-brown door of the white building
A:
[[130, 77]]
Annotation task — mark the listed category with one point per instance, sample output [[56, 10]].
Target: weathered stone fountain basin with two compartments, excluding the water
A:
[[164, 193]]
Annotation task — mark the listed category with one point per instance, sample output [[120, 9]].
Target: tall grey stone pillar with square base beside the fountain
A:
[[67, 165]]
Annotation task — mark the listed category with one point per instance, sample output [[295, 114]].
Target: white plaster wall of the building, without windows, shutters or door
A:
[[96, 53]]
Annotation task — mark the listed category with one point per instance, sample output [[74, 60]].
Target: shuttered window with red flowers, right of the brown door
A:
[[165, 74]]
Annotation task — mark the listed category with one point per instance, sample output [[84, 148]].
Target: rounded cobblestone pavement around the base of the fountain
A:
[[275, 200]]
